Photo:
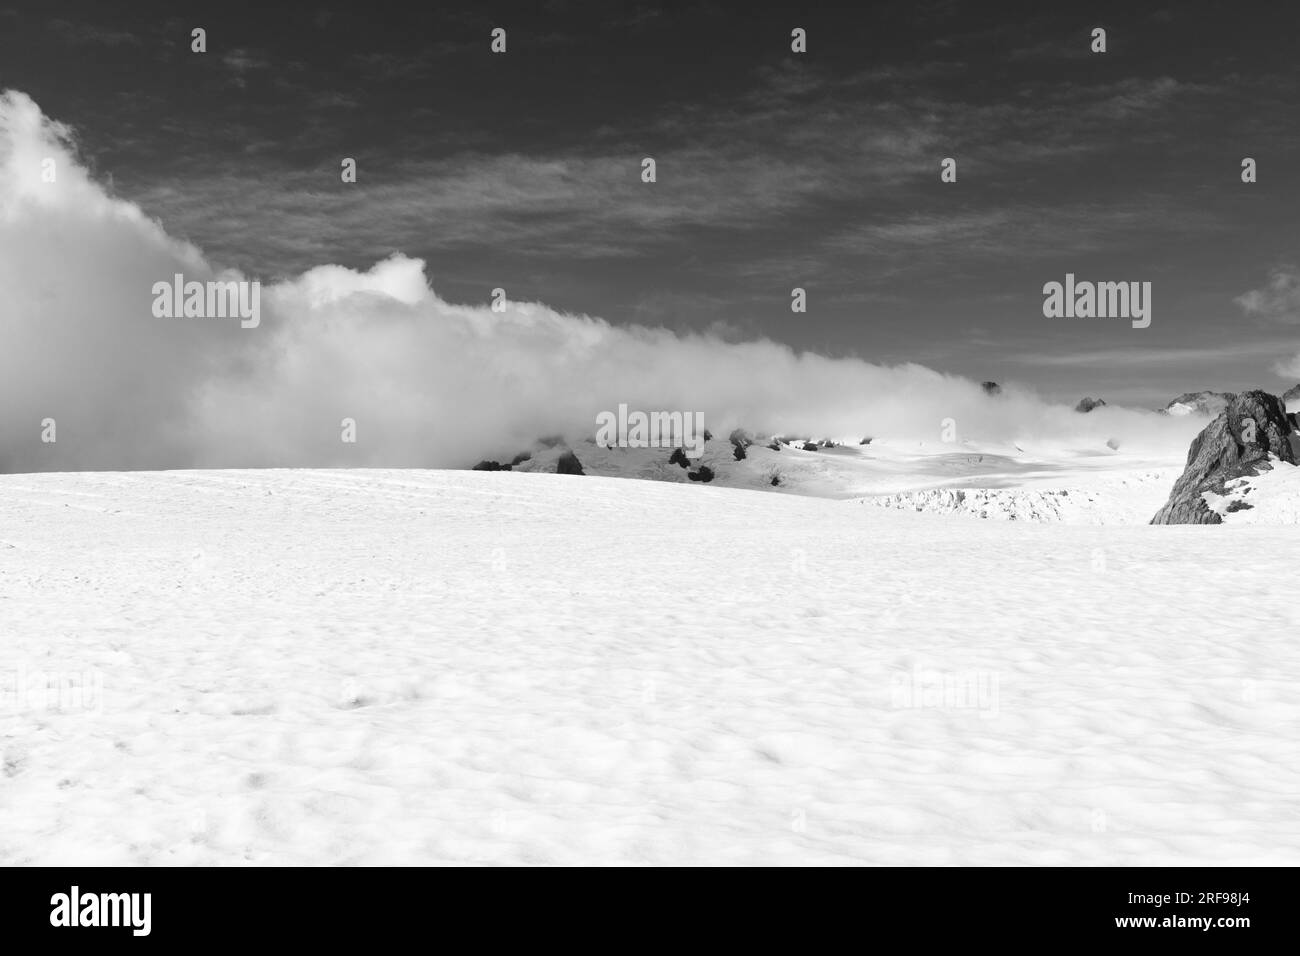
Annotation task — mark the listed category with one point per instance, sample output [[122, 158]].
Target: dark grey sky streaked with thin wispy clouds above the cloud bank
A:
[[774, 170]]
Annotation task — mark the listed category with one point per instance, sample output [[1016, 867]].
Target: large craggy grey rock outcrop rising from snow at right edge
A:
[[1237, 443]]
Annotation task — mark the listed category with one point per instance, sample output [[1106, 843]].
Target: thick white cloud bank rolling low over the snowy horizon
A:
[[430, 383]]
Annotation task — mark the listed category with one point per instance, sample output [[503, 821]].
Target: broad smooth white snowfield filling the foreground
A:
[[456, 668]]
